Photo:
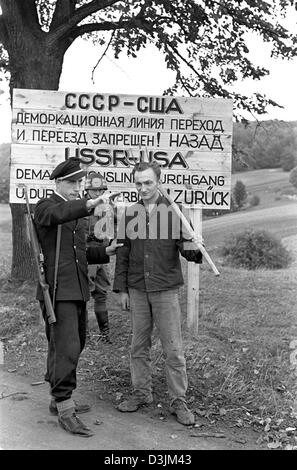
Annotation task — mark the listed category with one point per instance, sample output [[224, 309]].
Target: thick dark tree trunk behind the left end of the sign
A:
[[35, 63]]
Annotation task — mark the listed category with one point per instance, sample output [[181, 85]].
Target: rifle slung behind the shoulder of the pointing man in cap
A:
[[39, 262]]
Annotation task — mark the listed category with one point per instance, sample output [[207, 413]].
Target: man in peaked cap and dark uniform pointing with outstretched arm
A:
[[68, 285]]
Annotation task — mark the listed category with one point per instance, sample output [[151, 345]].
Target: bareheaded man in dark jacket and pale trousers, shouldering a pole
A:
[[147, 276]]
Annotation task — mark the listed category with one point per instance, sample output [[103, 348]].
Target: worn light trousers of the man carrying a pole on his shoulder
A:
[[162, 309]]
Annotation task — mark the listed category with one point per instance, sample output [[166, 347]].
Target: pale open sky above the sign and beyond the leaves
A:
[[148, 75]]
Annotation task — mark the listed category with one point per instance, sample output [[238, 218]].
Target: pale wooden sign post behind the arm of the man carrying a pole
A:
[[193, 277]]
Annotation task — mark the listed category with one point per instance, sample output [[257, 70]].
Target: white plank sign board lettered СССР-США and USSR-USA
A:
[[191, 138]]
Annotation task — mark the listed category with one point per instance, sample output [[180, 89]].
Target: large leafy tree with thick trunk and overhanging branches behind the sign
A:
[[203, 41]]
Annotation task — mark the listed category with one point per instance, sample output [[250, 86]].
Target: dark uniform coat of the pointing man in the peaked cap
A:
[[72, 281]]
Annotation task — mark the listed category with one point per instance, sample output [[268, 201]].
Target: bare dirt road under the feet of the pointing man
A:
[[27, 425]]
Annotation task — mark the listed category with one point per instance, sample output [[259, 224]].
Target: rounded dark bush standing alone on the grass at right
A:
[[253, 249]]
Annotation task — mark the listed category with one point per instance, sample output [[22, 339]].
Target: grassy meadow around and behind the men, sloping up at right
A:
[[240, 375]]
